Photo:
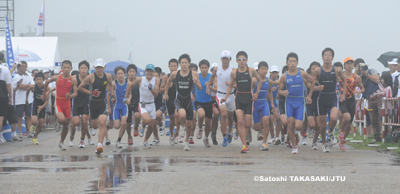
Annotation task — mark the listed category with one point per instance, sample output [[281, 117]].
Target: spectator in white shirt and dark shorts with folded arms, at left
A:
[[22, 82]]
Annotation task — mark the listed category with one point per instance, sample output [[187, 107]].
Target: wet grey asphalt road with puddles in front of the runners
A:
[[27, 168]]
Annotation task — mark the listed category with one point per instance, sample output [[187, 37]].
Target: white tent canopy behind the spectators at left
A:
[[46, 48]]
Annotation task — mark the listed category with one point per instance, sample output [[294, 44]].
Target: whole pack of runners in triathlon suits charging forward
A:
[[219, 95]]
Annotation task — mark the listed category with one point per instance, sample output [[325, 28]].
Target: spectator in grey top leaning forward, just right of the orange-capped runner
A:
[[374, 92]]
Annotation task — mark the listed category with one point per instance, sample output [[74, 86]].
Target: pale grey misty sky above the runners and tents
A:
[[266, 30]]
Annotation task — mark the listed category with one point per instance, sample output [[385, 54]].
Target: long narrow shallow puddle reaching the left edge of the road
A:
[[47, 158]]
